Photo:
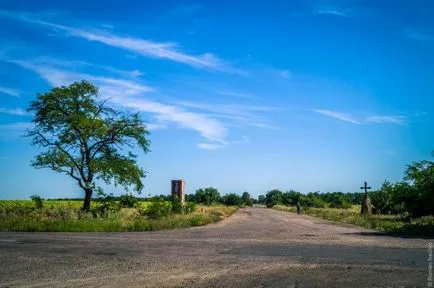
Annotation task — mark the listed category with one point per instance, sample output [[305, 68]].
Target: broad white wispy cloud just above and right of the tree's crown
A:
[[126, 93]]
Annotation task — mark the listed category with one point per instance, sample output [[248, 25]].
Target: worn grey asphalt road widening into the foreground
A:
[[256, 247]]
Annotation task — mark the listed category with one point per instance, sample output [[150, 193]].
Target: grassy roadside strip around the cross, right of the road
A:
[[423, 226]]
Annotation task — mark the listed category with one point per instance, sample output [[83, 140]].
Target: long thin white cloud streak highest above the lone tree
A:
[[147, 48]]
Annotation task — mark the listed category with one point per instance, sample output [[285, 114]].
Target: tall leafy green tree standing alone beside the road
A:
[[86, 139]]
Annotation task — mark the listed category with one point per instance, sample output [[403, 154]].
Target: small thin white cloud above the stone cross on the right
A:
[[375, 119]]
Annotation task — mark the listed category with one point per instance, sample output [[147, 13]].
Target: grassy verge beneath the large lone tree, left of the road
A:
[[66, 216]]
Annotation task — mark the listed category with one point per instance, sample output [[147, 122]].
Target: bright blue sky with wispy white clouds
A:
[[239, 95]]
